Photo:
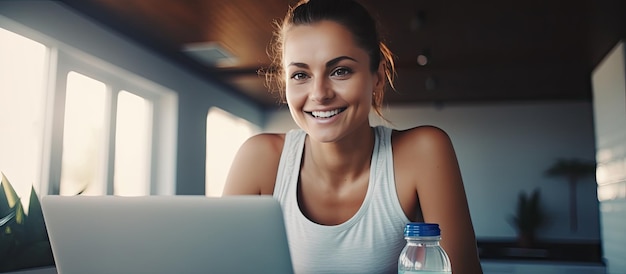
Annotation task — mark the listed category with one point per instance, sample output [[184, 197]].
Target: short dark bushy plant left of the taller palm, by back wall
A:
[[528, 217]]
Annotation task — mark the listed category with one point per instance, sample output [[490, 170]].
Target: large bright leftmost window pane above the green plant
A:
[[22, 111]]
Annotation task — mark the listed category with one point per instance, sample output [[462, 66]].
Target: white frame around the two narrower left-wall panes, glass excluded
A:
[[116, 81]]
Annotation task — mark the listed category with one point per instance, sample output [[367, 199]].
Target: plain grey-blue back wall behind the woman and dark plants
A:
[[504, 148]]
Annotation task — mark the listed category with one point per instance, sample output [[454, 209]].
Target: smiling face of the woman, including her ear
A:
[[329, 84]]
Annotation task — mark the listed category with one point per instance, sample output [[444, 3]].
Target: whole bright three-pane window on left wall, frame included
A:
[[79, 125]]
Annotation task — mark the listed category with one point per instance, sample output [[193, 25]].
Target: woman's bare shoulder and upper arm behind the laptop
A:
[[253, 171]]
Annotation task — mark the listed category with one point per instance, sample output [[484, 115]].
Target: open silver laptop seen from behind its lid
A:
[[166, 234]]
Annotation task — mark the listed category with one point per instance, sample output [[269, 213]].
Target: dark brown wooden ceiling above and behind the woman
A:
[[480, 51]]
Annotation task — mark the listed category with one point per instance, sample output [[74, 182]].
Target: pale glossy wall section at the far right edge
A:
[[609, 95]]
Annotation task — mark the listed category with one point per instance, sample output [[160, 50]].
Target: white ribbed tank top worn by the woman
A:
[[369, 242]]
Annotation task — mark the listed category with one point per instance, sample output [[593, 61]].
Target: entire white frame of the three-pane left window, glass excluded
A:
[[60, 61]]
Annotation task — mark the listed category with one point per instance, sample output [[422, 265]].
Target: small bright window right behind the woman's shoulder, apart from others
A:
[[225, 134]]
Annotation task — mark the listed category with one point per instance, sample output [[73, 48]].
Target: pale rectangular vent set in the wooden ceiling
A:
[[211, 54]]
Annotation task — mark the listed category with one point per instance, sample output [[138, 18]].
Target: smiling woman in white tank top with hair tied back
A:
[[337, 177]]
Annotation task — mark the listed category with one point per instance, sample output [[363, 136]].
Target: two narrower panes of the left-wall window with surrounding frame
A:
[[112, 137]]
